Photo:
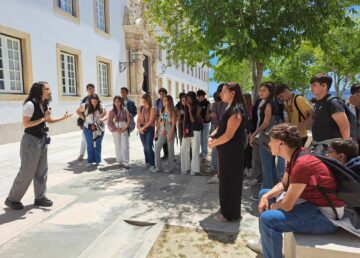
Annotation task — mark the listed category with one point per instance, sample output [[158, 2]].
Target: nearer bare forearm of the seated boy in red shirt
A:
[[292, 195]]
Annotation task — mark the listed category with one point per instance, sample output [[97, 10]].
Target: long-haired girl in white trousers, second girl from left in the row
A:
[[118, 124]]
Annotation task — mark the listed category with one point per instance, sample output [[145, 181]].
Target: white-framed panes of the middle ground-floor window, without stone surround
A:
[[68, 74]]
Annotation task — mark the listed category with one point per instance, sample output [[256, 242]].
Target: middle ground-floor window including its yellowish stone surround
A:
[[69, 73]]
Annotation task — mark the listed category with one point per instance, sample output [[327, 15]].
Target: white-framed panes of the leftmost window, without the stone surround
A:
[[11, 78]]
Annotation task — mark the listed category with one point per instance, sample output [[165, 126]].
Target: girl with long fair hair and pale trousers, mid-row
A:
[[165, 132]]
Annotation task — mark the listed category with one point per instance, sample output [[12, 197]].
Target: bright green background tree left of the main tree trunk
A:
[[226, 71]]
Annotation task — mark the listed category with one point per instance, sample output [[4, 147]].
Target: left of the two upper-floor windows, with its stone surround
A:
[[68, 9]]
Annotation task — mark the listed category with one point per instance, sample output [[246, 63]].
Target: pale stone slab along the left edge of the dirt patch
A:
[[124, 239]]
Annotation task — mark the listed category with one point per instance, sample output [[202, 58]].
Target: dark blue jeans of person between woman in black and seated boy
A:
[[268, 168]]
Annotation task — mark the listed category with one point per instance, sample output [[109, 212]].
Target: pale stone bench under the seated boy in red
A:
[[341, 244]]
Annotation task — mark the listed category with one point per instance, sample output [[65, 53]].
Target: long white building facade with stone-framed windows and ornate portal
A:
[[69, 43]]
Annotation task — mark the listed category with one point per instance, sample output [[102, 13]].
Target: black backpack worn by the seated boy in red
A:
[[347, 182]]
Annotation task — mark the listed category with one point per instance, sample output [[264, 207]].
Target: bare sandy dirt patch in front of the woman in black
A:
[[181, 242]]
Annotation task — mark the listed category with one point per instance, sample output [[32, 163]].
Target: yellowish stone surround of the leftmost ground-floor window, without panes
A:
[[27, 76]]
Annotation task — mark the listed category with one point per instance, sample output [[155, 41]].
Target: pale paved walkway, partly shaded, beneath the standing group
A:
[[92, 206]]
